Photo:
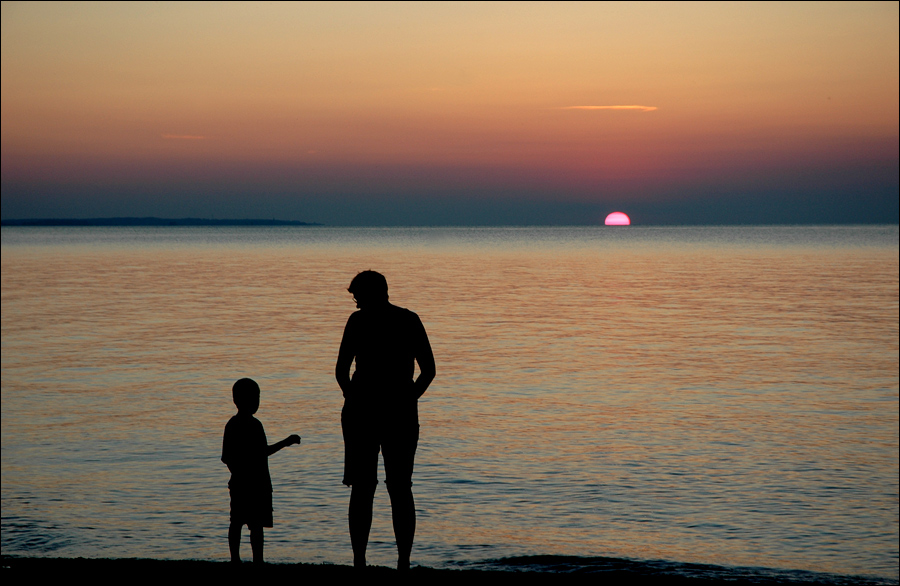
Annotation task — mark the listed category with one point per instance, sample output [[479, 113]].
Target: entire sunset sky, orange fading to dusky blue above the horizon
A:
[[452, 113]]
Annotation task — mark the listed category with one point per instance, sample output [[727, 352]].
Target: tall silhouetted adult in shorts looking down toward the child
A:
[[380, 411]]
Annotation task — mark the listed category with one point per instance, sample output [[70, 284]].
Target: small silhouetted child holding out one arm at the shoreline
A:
[[246, 453]]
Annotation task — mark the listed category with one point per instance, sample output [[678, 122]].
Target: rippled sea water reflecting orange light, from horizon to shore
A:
[[715, 399]]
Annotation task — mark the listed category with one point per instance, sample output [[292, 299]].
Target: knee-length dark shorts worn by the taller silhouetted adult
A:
[[365, 436]]
